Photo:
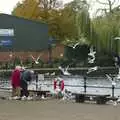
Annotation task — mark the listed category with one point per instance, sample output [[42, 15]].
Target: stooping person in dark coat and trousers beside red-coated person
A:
[[26, 76]]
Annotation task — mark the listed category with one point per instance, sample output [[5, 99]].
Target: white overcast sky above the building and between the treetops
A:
[[6, 6]]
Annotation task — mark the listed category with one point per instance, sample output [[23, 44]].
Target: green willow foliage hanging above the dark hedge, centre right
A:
[[78, 10]]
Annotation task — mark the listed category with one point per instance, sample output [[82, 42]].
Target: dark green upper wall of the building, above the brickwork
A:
[[28, 35]]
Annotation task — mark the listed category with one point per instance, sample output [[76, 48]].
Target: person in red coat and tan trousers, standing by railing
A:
[[15, 82]]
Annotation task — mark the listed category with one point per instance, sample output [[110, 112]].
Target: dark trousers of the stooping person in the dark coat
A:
[[24, 91]]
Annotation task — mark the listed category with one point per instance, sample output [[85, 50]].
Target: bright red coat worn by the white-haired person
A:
[[15, 78]]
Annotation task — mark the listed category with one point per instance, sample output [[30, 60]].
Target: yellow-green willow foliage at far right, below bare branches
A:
[[106, 28]]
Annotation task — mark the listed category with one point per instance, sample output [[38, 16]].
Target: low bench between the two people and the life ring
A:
[[40, 92]]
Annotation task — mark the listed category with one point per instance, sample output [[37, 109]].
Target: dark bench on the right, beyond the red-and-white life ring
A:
[[99, 98]]
